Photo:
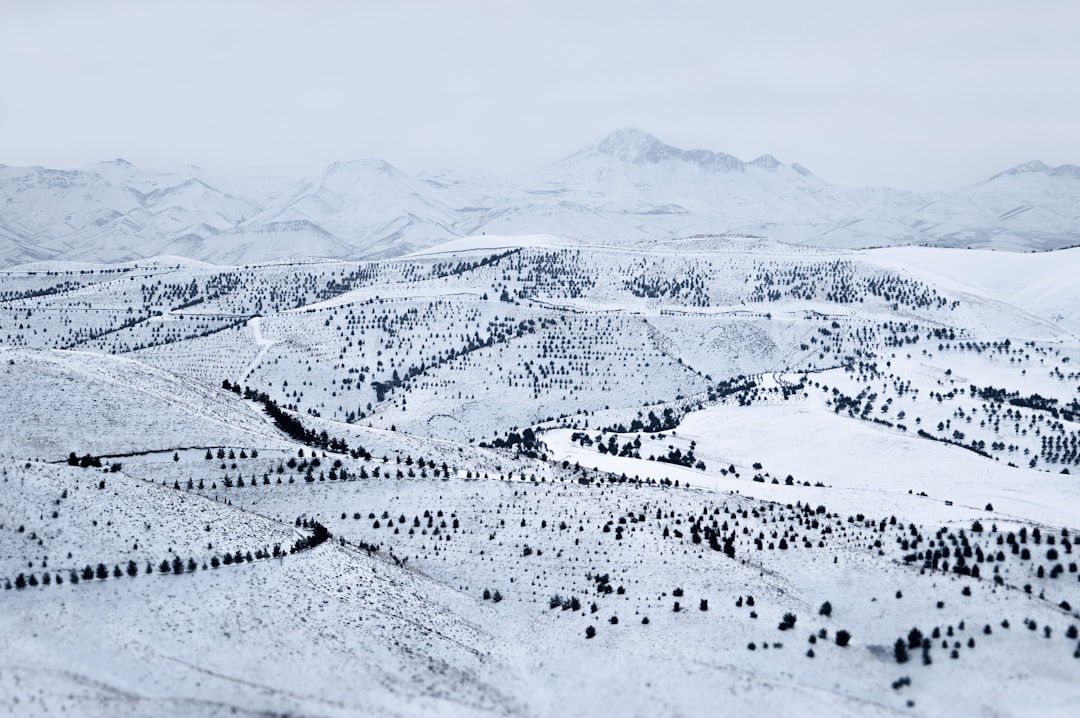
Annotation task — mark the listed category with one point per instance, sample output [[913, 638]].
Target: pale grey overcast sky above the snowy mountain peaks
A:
[[921, 96]]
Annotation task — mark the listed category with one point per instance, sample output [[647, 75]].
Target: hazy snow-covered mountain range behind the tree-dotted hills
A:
[[628, 188]]
